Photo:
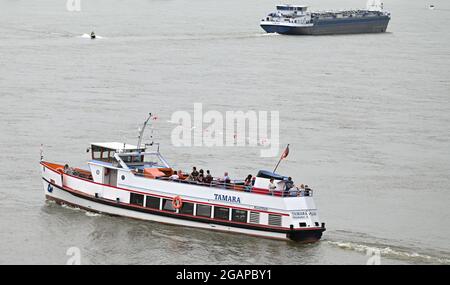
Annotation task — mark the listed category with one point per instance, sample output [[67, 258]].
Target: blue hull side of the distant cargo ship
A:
[[334, 26]]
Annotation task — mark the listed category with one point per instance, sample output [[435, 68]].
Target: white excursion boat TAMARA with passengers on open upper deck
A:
[[136, 181]]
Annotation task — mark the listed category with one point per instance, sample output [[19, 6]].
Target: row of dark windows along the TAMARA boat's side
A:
[[220, 213]]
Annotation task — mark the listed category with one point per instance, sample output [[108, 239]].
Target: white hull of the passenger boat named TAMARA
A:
[[93, 196]]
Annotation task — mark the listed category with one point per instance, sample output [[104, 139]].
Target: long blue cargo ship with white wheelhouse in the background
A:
[[298, 20]]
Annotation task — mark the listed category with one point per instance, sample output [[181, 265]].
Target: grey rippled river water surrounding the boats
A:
[[367, 118]]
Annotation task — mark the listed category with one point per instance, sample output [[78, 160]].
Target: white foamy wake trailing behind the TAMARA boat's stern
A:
[[389, 252]]
